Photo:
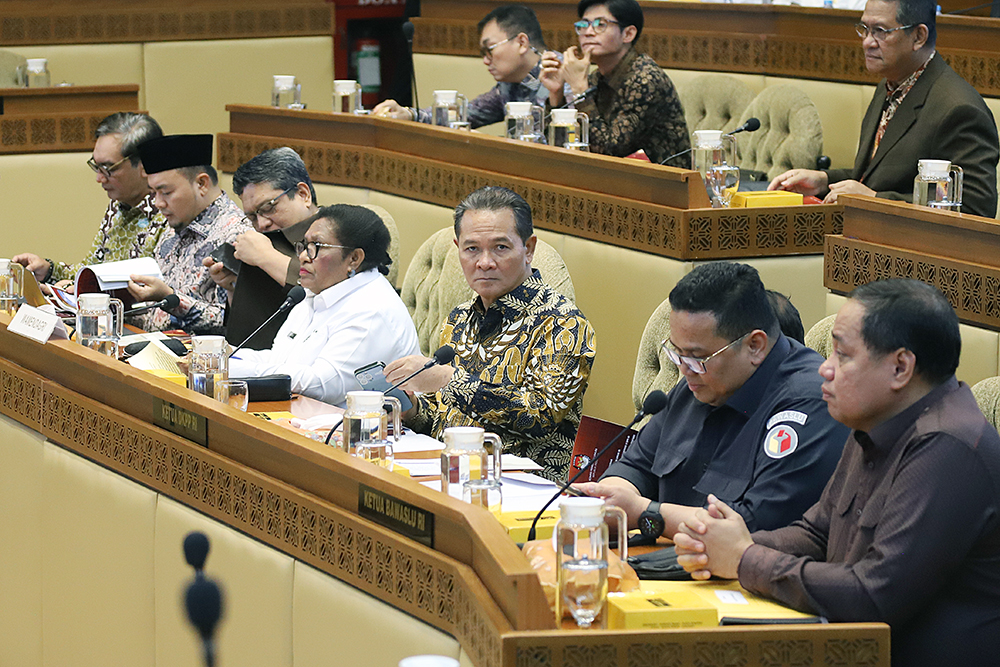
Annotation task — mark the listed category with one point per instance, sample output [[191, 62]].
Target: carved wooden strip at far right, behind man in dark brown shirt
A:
[[972, 289]]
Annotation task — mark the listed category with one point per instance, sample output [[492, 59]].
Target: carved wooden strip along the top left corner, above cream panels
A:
[[149, 21]]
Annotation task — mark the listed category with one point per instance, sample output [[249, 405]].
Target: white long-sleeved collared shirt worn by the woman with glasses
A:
[[331, 334]]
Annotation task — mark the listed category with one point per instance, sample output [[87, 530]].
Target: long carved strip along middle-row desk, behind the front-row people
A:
[[676, 233]]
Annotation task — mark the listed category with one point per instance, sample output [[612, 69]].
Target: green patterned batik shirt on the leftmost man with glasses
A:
[[126, 232]]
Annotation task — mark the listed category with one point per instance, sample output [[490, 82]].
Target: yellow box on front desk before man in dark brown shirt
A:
[[646, 610]]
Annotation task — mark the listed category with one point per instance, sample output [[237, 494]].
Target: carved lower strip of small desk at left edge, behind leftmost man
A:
[[48, 133]]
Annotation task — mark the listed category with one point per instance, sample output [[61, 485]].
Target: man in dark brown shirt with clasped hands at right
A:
[[908, 529]]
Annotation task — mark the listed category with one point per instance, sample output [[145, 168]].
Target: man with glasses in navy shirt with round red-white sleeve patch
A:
[[747, 425]]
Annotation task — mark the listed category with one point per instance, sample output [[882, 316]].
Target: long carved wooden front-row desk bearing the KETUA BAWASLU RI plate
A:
[[302, 498]]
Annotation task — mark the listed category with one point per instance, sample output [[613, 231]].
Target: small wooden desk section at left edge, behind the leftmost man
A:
[[60, 118]]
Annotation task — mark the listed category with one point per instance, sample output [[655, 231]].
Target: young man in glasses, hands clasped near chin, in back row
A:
[[635, 106]]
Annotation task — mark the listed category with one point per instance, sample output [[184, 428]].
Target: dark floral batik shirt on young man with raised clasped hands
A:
[[636, 107]]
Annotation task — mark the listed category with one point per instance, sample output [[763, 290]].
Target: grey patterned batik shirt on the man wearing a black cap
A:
[[179, 255]]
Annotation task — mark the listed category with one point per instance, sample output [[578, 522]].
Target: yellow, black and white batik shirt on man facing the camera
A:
[[521, 369]]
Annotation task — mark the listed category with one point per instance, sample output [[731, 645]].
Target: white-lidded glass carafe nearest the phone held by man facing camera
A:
[[365, 425]]
